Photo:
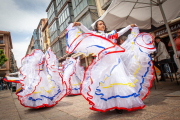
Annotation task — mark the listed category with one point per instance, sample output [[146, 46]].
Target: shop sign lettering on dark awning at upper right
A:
[[164, 31]]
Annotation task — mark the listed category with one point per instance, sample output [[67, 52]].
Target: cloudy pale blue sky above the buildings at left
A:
[[21, 17]]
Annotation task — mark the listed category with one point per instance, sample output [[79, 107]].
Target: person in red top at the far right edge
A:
[[177, 42]]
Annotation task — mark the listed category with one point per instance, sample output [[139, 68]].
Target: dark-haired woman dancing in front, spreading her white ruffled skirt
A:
[[119, 78]]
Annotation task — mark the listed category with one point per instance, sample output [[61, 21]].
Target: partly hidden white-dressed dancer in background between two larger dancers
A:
[[73, 75]]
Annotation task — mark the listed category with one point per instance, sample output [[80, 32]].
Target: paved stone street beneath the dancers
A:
[[158, 107]]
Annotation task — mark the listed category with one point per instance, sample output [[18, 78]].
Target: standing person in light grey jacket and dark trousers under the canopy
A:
[[161, 57]]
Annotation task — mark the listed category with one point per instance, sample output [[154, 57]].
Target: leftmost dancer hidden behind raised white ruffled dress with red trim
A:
[[42, 84]]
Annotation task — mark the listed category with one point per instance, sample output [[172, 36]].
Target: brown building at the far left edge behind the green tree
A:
[[6, 45]]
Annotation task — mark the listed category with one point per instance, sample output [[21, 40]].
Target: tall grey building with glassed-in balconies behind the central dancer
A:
[[62, 12]]
